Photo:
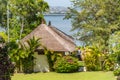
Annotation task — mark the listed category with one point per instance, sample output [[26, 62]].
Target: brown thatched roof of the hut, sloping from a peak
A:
[[52, 38]]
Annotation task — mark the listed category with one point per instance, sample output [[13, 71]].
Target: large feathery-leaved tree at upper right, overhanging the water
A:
[[95, 21]]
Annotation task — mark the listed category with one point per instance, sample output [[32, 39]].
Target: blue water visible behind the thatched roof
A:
[[62, 24]]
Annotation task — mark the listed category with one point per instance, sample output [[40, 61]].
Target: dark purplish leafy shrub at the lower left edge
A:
[[6, 66]]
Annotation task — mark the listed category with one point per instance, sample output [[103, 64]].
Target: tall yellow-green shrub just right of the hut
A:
[[92, 59]]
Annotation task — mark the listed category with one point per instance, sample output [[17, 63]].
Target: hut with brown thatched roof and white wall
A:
[[53, 39]]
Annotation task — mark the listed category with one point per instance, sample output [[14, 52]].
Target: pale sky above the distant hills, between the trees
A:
[[65, 3]]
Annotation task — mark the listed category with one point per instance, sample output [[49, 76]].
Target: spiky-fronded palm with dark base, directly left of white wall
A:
[[28, 62]]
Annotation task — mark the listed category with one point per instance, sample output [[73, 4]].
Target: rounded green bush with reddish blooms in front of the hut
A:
[[66, 64]]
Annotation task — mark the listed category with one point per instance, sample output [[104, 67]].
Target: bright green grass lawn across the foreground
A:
[[65, 76]]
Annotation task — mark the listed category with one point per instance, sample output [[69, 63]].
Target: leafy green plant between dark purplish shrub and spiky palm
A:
[[17, 54]]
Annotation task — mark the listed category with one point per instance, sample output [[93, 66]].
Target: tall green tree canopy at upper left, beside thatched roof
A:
[[23, 16]]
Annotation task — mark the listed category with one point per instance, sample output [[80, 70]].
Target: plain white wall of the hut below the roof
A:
[[41, 63]]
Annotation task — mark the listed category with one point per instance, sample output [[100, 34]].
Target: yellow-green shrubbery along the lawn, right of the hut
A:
[[95, 60]]
